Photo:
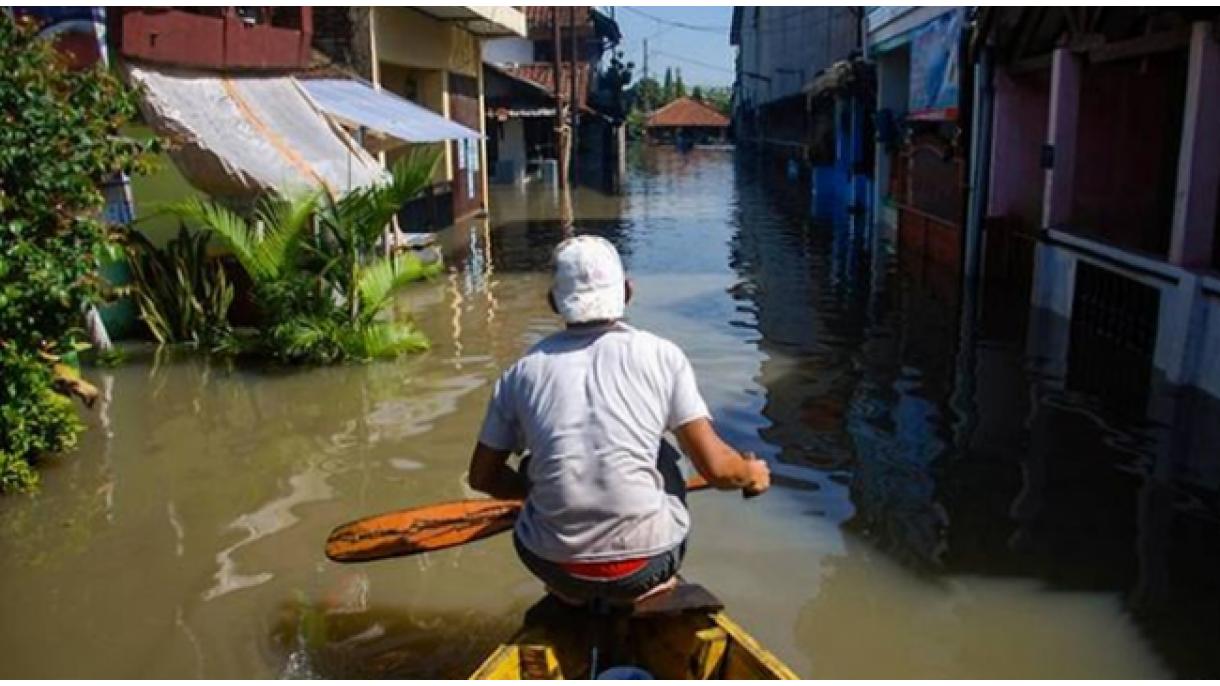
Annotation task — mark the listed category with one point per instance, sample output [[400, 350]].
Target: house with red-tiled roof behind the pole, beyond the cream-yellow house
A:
[[524, 99]]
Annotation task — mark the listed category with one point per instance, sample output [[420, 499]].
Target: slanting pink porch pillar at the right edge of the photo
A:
[[1199, 163]]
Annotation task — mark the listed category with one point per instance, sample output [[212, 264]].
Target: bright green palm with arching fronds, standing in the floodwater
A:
[[319, 278]]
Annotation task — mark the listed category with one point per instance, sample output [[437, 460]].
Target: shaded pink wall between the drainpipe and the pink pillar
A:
[[1021, 130]]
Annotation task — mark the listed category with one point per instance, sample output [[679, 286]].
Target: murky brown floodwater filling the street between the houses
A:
[[955, 497]]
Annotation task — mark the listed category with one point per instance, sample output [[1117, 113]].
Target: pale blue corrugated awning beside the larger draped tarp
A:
[[359, 104]]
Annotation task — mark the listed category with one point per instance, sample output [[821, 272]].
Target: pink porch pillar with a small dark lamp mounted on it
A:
[[1057, 200]]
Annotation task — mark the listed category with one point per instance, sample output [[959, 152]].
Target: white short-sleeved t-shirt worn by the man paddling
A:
[[592, 407]]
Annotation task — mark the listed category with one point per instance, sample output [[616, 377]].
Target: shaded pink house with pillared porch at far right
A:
[[1099, 167]]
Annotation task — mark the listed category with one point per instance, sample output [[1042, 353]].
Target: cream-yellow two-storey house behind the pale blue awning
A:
[[432, 58]]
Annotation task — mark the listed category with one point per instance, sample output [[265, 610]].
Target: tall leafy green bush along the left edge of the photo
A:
[[59, 141]]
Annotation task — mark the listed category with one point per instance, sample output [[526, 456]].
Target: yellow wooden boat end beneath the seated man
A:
[[684, 634]]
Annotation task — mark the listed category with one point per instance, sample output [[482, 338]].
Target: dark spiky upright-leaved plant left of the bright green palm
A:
[[184, 297]]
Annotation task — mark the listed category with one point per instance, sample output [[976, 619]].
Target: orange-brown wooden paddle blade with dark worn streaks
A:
[[420, 530]]
